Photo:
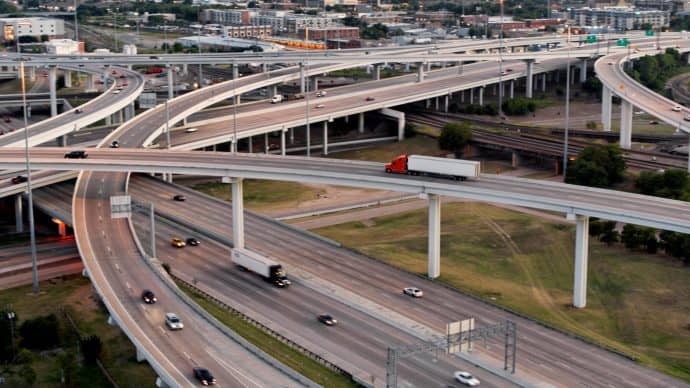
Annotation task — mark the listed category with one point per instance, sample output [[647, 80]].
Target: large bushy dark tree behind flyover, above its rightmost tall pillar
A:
[[597, 167]]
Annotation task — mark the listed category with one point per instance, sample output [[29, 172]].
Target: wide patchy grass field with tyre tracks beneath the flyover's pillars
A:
[[637, 303]]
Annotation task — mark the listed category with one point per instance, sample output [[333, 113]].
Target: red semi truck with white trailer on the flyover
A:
[[427, 165]]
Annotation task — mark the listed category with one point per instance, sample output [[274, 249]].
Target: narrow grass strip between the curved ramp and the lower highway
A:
[[280, 351]]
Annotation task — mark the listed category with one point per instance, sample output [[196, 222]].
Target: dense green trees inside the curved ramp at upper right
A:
[[654, 71]]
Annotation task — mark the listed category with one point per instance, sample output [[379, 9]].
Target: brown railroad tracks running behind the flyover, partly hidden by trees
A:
[[547, 145]]
